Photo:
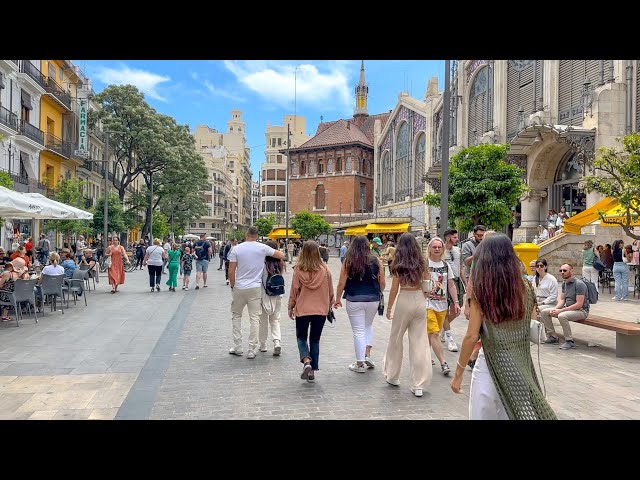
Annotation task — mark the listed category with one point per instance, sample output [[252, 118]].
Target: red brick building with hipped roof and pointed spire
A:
[[332, 173]]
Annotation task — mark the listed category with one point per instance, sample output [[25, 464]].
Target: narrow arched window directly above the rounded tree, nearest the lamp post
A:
[[480, 105]]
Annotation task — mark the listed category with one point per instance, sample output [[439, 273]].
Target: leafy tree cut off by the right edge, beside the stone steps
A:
[[621, 180]]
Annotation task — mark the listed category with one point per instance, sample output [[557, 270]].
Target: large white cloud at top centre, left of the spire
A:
[[279, 83]]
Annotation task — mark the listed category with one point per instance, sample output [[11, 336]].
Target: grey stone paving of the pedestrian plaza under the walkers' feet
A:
[[141, 355]]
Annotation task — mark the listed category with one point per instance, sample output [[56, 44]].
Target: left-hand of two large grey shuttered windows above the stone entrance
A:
[[522, 92]]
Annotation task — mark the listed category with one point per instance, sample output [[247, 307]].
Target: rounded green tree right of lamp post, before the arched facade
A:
[[482, 187]]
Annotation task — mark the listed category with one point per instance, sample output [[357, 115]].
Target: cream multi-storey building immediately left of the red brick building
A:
[[273, 172]]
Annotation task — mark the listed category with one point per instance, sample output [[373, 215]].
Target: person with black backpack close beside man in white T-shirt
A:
[[270, 314]]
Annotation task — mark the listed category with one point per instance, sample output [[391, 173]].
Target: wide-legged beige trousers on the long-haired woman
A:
[[409, 315]]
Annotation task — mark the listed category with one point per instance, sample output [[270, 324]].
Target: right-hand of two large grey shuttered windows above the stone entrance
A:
[[571, 80]]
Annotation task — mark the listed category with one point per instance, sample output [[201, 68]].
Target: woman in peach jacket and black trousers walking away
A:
[[309, 300]]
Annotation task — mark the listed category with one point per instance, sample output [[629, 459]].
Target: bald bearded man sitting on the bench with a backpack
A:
[[572, 305]]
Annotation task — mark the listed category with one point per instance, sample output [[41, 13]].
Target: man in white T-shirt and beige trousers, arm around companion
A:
[[246, 263]]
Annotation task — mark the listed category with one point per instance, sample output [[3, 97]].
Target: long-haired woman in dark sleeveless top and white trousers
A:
[[362, 280]]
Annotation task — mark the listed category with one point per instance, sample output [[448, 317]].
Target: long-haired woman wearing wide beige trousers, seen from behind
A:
[[409, 270]]
